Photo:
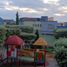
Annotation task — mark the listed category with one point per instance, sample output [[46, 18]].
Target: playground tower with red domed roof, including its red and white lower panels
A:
[[13, 41]]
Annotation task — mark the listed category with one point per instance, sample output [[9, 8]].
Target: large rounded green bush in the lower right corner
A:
[[61, 51]]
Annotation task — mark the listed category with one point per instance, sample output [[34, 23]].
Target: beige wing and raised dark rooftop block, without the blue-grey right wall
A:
[[33, 22]]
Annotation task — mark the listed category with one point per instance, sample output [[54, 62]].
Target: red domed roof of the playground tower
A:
[[14, 40]]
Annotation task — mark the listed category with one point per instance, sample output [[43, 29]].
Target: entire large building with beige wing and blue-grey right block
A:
[[41, 24]]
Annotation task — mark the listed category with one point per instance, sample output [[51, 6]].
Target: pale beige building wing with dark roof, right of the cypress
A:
[[31, 22]]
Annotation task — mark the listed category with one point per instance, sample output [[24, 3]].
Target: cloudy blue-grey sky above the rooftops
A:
[[34, 8]]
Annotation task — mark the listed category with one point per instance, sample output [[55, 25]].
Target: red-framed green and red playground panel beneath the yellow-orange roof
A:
[[40, 57]]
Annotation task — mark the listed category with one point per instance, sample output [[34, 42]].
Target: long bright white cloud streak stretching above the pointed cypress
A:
[[10, 7]]
